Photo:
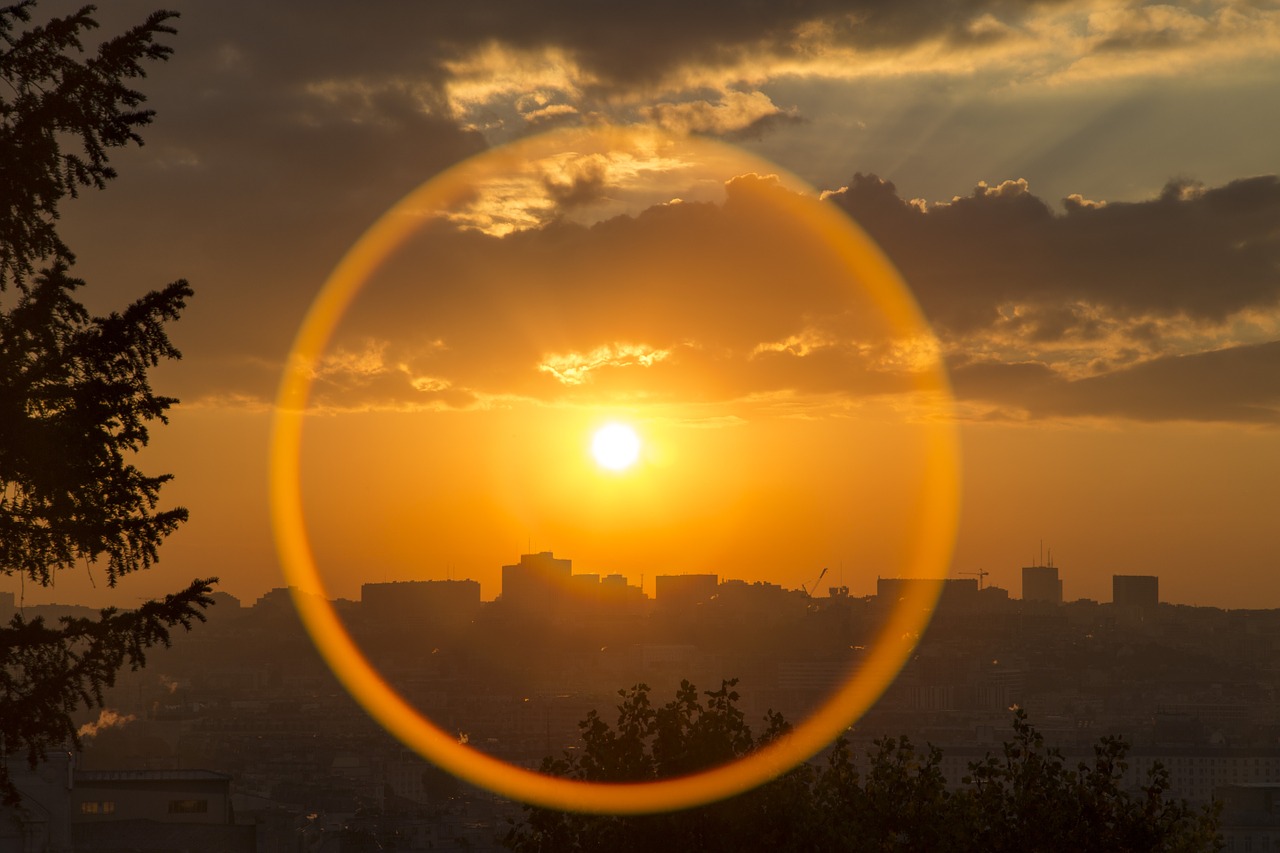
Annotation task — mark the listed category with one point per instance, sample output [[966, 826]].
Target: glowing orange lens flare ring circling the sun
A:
[[938, 501]]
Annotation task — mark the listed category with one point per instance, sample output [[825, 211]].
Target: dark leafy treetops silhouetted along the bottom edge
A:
[[1022, 800]]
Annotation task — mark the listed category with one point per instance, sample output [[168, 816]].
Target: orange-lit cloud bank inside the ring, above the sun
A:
[[707, 303]]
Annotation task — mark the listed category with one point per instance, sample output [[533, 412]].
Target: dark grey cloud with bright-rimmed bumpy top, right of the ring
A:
[[1203, 253]]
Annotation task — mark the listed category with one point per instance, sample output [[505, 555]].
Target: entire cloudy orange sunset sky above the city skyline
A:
[[1082, 198]]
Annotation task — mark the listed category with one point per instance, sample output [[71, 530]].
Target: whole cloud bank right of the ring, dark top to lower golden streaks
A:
[[1123, 309]]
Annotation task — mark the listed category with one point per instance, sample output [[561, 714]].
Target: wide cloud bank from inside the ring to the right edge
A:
[[1098, 309]]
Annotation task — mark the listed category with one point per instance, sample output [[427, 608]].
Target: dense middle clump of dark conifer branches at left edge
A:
[[75, 402]]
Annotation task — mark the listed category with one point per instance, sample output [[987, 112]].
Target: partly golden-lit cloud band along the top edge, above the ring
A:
[[433, 72]]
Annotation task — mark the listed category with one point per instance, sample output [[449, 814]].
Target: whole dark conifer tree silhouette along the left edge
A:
[[75, 395]]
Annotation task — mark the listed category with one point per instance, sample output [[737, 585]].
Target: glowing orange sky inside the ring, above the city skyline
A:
[[780, 376]]
